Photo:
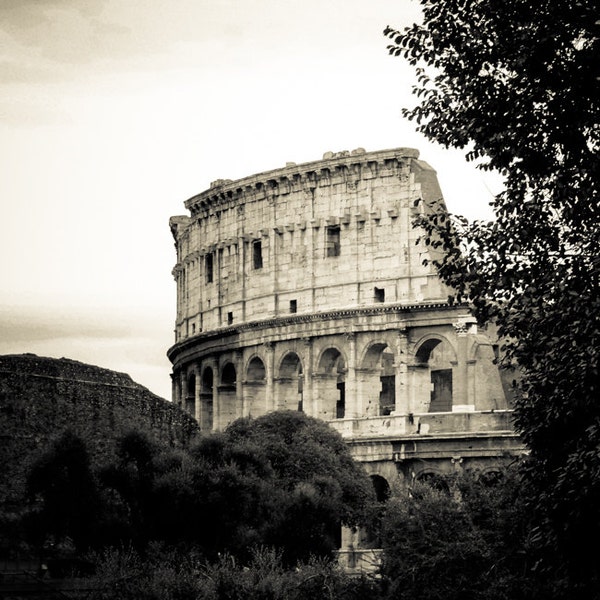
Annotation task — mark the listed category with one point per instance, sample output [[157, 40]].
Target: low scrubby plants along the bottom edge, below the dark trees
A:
[[161, 575]]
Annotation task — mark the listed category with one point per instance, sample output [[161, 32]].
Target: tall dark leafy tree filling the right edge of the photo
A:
[[515, 85]]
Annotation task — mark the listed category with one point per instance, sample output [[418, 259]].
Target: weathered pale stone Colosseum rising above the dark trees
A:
[[304, 288]]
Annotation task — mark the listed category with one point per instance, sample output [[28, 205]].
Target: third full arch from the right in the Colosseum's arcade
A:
[[329, 383]]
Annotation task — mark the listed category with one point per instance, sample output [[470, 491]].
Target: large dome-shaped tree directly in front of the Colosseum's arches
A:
[[316, 485]]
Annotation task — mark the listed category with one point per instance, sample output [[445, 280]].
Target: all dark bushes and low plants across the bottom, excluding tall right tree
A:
[[159, 526]]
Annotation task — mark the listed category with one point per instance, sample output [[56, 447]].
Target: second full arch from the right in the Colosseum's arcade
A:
[[377, 378]]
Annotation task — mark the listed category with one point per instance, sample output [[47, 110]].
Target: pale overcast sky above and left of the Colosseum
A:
[[114, 112]]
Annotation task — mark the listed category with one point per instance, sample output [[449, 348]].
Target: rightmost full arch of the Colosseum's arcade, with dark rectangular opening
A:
[[434, 374]]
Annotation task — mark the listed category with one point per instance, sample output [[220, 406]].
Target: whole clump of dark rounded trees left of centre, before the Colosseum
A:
[[284, 481]]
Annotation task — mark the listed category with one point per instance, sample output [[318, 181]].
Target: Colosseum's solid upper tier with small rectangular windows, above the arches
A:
[[326, 235]]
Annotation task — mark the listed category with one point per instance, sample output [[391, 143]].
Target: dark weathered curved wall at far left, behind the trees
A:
[[42, 397]]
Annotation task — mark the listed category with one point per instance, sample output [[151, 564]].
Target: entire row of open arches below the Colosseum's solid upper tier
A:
[[251, 383]]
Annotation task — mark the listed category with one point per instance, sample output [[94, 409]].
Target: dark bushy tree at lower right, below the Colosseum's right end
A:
[[460, 537]]
